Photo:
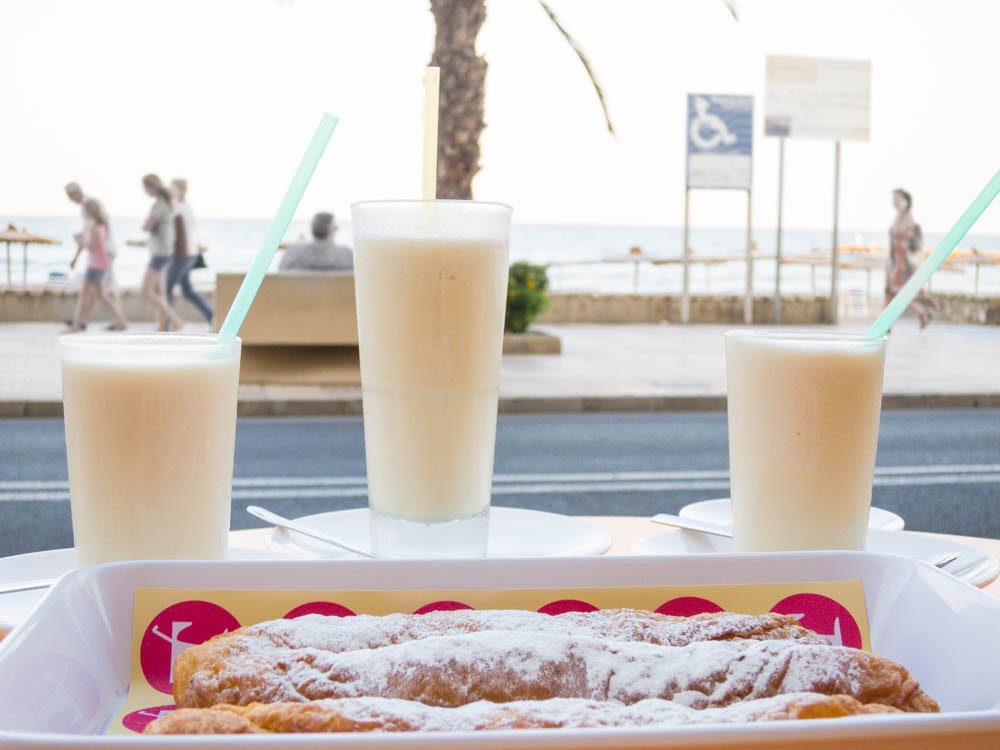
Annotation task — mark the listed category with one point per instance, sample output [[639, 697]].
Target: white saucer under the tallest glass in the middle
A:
[[514, 532]]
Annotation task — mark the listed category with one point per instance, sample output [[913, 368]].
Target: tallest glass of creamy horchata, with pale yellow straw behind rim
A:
[[431, 284]]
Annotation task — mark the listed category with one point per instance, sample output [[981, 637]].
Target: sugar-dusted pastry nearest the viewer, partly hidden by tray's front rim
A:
[[389, 715]]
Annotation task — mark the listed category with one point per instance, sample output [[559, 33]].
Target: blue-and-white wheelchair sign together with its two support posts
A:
[[719, 156]]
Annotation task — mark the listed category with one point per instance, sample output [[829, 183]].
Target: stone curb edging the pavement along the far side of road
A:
[[350, 406]]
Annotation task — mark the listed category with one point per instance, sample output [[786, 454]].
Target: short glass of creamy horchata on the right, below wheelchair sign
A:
[[803, 425]]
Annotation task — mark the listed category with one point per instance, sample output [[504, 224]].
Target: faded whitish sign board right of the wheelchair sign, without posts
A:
[[813, 97]]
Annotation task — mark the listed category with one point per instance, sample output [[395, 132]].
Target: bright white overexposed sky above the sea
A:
[[227, 94]]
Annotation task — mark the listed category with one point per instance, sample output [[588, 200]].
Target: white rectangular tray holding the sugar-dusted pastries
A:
[[65, 670]]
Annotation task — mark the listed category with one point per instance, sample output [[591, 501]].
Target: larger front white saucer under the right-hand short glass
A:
[[972, 566]]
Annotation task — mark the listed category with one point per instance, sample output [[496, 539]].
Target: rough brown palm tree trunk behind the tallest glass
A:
[[463, 77]]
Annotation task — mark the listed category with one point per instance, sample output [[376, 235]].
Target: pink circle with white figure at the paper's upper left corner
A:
[[172, 631]]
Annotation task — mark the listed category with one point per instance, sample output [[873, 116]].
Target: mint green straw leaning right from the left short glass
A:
[[279, 225]]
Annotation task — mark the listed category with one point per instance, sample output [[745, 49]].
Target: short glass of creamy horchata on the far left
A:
[[150, 431]]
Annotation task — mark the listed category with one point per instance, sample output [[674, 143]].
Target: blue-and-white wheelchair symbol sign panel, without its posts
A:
[[720, 141]]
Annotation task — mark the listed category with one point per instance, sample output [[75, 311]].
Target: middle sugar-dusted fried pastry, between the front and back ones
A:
[[503, 666]]
